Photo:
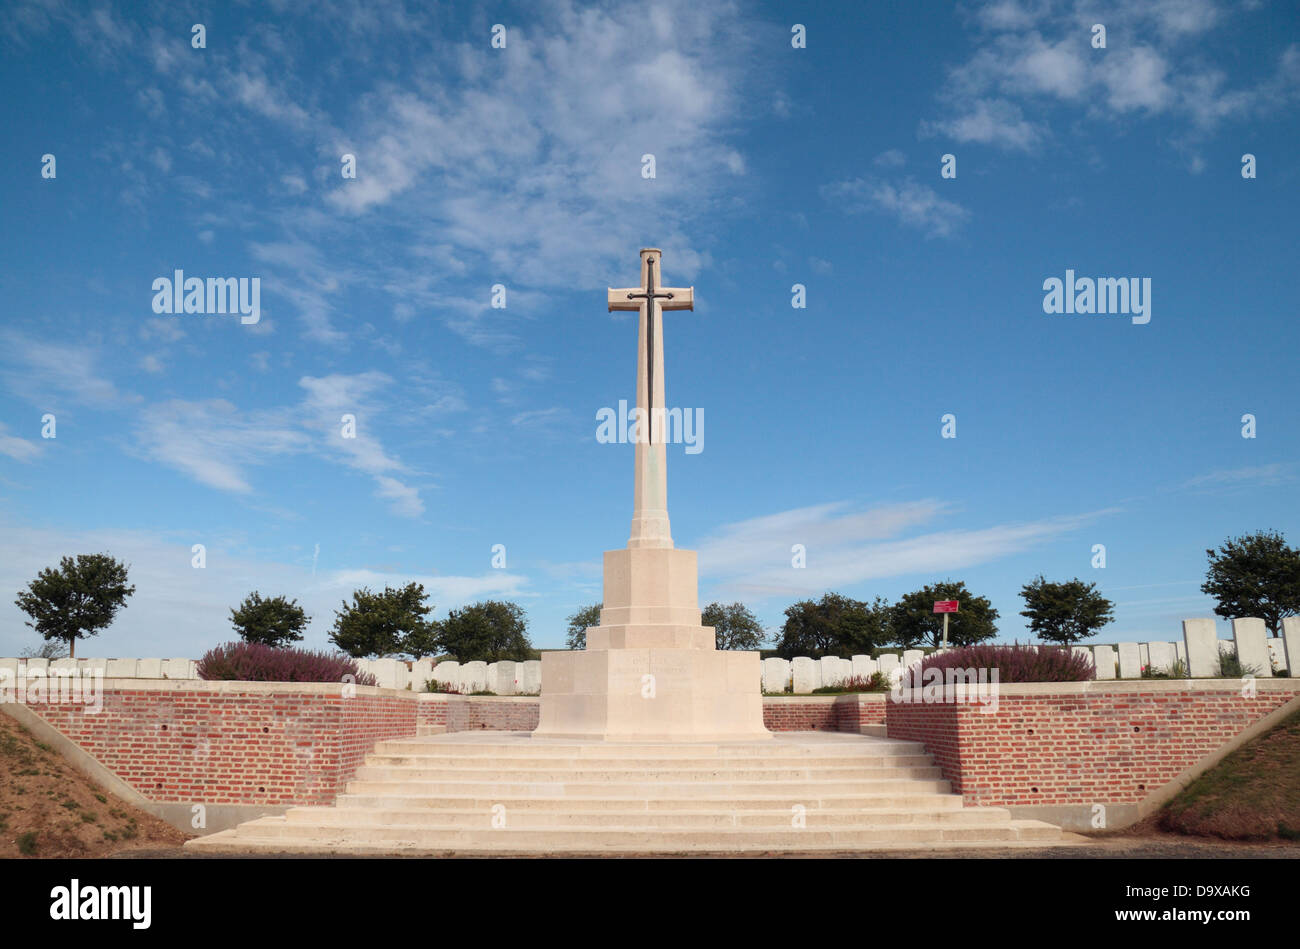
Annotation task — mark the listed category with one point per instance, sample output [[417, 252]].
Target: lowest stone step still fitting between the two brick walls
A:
[[928, 800]]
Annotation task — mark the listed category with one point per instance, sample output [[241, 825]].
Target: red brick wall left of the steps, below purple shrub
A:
[[246, 748]]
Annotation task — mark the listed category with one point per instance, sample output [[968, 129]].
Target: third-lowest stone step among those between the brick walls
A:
[[625, 775]]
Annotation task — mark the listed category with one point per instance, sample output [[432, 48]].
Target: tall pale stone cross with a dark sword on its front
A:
[[651, 489]]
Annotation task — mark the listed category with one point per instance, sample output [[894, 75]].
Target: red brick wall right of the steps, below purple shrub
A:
[[1112, 747]]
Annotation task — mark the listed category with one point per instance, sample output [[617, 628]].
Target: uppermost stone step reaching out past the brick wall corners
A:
[[682, 820]]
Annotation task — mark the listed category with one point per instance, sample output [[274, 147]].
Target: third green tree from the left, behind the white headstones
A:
[[378, 625]]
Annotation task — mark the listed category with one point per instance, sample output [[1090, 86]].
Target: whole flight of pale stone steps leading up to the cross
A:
[[512, 794]]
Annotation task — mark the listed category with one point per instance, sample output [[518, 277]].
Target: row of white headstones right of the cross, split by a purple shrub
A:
[[1199, 655]]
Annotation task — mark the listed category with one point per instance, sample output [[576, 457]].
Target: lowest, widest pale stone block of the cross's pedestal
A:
[[652, 695]]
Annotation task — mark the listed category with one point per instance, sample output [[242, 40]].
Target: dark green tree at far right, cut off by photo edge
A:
[[1256, 575]]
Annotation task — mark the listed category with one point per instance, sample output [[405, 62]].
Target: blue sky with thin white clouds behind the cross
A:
[[522, 167]]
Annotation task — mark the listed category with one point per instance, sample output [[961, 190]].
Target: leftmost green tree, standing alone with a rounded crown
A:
[[77, 600]]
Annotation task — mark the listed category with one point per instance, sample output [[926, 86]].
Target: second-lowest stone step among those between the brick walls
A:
[[794, 790]]
